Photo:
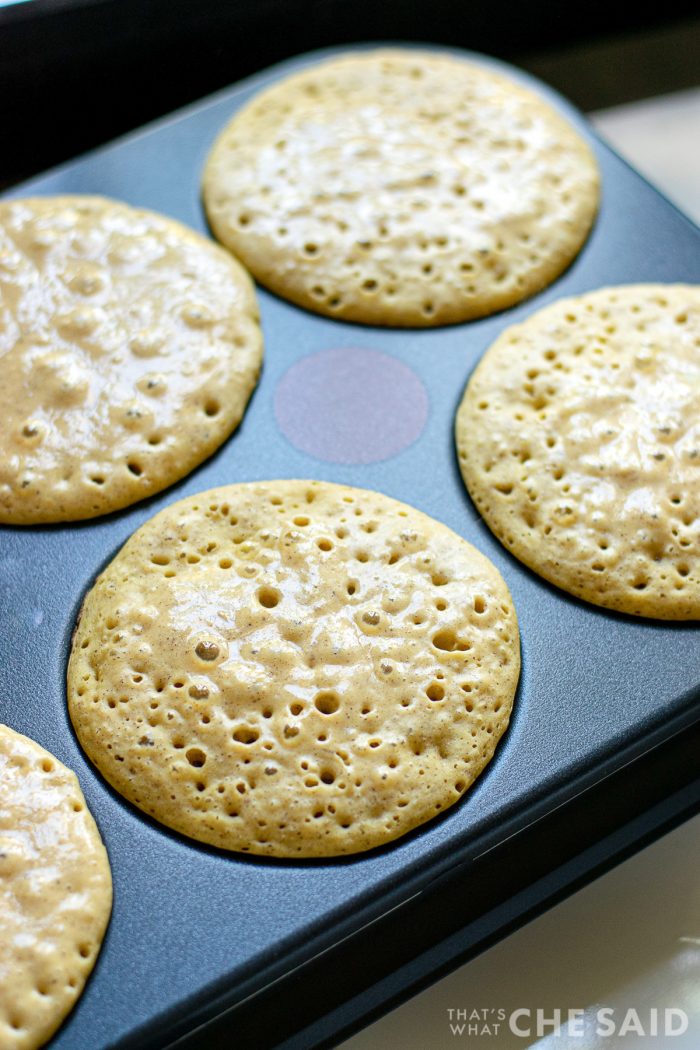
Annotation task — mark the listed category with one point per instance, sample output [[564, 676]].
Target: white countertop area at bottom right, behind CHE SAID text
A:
[[629, 941]]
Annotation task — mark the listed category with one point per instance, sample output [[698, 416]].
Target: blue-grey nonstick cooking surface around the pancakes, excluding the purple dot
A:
[[598, 689]]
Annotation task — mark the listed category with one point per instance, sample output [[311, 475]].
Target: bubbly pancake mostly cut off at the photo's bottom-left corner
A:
[[56, 892]]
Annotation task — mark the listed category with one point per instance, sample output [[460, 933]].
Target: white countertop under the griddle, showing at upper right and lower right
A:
[[628, 944]]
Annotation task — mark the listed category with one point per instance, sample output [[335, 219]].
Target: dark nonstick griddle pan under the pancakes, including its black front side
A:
[[197, 932]]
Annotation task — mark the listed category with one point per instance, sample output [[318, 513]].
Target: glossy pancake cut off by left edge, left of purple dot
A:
[[130, 347]]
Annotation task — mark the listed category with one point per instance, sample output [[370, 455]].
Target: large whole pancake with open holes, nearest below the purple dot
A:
[[294, 668]]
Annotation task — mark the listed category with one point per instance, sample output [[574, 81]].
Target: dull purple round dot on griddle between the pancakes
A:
[[351, 406]]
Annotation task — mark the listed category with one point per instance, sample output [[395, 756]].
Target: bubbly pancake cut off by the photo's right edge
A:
[[579, 439]]
